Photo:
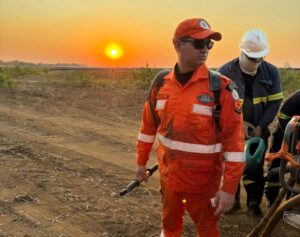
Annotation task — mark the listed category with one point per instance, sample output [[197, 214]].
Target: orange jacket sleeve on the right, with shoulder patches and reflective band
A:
[[232, 138]]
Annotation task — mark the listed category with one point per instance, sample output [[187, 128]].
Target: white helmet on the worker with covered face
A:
[[254, 44]]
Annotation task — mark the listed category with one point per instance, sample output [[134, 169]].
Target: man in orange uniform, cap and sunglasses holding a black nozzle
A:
[[194, 152]]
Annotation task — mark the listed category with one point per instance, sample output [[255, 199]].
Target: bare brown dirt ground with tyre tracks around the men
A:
[[66, 153]]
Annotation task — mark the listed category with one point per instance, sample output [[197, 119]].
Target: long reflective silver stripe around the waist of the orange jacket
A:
[[188, 147]]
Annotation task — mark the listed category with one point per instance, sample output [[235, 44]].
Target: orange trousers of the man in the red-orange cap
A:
[[199, 208]]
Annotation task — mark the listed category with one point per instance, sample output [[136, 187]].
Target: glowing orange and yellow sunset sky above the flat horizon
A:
[[78, 31]]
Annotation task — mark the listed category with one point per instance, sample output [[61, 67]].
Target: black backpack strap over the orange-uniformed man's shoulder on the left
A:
[[156, 84]]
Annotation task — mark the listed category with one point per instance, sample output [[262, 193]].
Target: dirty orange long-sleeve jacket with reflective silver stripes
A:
[[192, 149]]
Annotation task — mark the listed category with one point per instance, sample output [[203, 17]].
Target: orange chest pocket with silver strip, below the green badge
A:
[[200, 120]]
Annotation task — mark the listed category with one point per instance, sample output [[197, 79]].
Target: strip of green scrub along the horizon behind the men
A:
[[138, 78]]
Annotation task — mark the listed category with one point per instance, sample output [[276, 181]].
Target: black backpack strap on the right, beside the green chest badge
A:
[[215, 86]]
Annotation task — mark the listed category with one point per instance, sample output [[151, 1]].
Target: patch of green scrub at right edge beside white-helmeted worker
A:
[[290, 80]]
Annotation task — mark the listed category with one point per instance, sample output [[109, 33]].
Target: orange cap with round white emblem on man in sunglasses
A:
[[196, 28]]
